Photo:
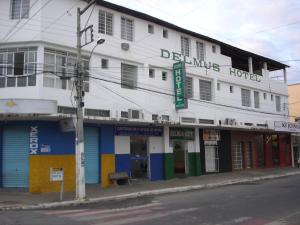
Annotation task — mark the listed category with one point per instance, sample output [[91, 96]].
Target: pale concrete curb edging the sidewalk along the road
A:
[[146, 193]]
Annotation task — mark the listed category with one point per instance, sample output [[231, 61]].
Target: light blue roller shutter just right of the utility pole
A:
[[91, 152]]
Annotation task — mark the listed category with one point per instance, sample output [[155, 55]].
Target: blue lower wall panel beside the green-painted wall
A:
[[157, 166]]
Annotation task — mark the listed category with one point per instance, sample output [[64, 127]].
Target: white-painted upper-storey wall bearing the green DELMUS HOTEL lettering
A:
[[54, 26]]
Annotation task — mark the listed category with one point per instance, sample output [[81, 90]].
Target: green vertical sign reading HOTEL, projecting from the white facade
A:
[[179, 87]]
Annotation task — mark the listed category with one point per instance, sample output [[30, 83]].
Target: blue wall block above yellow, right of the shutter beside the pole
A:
[[107, 139]]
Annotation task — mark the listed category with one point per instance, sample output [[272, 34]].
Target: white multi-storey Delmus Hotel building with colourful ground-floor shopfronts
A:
[[131, 123]]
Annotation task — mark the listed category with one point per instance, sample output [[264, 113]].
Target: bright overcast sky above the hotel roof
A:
[[267, 27]]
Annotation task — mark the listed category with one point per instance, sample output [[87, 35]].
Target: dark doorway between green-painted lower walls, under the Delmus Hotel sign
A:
[[180, 157]]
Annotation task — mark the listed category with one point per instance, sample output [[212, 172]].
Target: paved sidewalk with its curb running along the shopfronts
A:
[[13, 198]]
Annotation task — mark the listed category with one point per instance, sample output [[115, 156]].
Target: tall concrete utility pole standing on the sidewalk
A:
[[79, 151]]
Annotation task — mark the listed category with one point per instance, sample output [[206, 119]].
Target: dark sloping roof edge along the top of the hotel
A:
[[271, 62]]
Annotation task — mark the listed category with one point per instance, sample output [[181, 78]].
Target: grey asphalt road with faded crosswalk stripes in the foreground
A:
[[272, 202]]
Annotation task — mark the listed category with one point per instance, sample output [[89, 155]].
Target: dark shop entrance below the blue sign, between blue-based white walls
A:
[[139, 157]]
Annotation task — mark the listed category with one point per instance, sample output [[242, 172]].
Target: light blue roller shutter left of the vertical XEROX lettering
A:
[[15, 156]]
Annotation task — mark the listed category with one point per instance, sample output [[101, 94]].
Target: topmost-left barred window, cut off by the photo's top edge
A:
[[19, 9]]
